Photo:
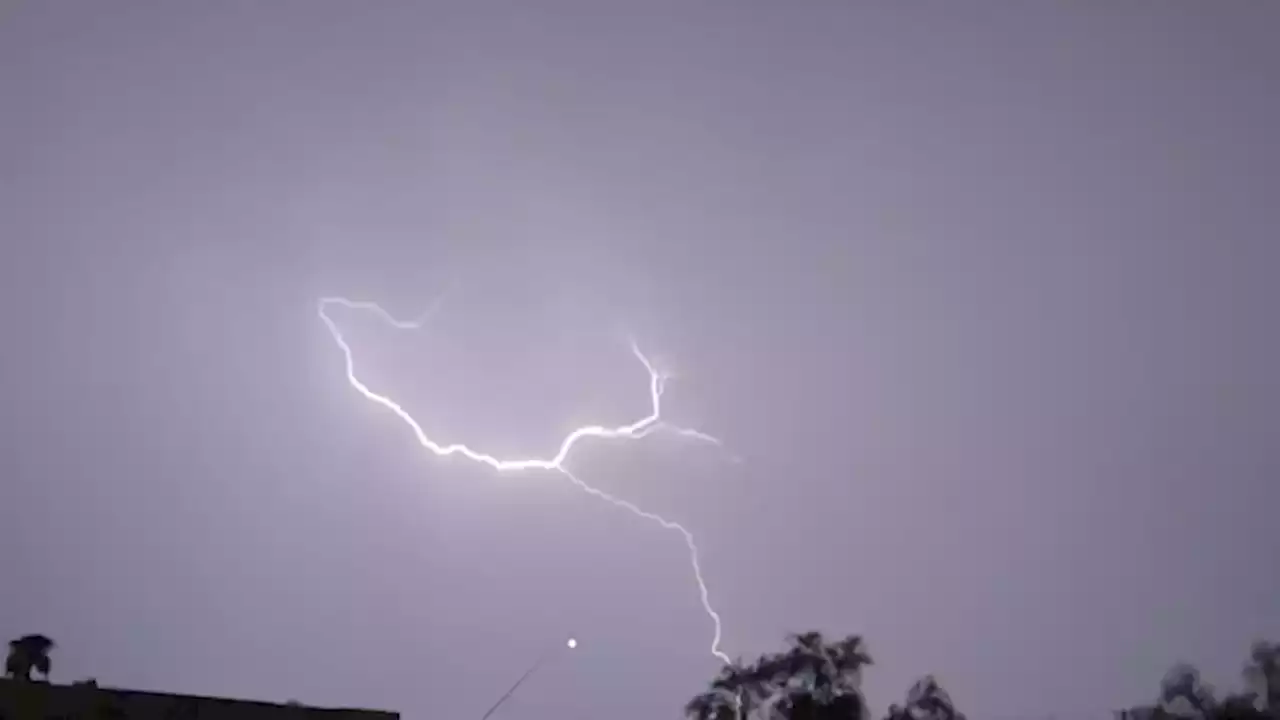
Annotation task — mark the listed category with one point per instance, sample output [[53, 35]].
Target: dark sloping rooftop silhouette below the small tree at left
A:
[[86, 701]]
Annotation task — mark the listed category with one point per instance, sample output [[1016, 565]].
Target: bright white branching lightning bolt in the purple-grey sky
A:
[[636, 431]]
